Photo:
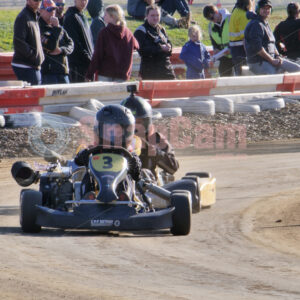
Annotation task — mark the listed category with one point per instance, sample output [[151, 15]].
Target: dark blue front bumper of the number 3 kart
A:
[[105, 218]]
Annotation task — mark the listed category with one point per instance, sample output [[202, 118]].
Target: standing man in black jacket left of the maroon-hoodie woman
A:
[[77, 26]]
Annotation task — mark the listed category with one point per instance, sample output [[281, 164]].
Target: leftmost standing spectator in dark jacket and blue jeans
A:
[[28, 55]]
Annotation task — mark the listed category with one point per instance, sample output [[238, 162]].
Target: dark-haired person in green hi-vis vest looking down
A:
[[219, 36]]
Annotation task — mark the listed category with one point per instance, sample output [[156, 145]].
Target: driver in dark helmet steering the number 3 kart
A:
[[114, 127]]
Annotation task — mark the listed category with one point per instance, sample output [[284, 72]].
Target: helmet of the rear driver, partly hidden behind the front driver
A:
[[141, 110]]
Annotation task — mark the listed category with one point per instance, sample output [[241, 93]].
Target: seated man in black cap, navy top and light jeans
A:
[[262, 54]]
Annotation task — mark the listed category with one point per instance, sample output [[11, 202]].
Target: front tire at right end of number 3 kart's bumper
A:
[[181, 218]]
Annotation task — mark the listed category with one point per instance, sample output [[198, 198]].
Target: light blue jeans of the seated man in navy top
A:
[[265, 67]]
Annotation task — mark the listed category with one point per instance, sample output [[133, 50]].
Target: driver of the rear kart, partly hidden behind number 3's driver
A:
[[156, 150]]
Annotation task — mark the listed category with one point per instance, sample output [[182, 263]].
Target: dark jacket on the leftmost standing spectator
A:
[[27, 40]]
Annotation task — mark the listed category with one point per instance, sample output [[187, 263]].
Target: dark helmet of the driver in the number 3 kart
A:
[[114, 126]]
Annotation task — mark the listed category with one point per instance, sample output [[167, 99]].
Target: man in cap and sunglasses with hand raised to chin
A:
[[57, 45]]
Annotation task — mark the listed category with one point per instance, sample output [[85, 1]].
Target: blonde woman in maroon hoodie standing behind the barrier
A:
[[112, 58]]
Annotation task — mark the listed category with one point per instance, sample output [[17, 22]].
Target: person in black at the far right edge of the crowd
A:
[[287, 33]]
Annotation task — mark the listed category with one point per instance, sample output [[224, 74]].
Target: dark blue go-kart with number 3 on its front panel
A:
[[116, 204]]
